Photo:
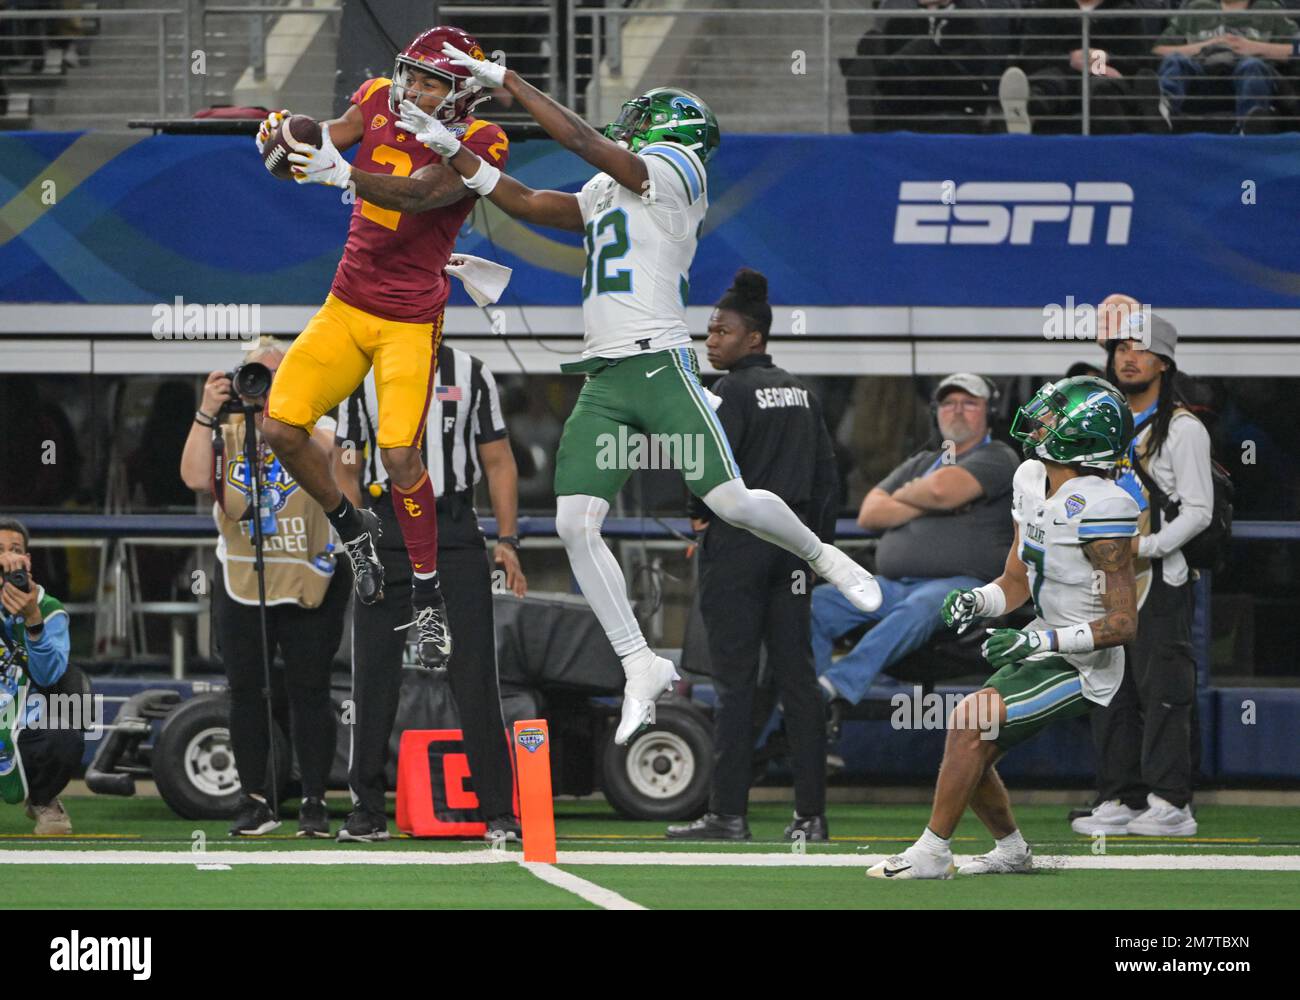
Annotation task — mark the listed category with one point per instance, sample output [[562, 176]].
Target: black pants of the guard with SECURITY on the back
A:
[[751, 598]]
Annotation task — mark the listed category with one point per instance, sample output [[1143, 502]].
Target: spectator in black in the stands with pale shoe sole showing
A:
[[1045, 90]]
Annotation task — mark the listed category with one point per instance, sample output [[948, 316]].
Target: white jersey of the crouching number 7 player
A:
[[1063, 582]]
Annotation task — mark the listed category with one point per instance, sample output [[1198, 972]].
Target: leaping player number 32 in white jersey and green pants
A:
[[642, 219]]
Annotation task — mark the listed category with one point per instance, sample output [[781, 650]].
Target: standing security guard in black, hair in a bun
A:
[[752, 592]]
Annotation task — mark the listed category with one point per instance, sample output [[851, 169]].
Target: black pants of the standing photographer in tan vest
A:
[[307, 642]]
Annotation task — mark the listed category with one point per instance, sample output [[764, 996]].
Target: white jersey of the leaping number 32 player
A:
[[639, 254]]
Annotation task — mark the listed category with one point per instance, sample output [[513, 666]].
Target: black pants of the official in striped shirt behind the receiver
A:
[[378, 676]]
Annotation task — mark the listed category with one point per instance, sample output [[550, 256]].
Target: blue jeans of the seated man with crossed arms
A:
[[907, 620]]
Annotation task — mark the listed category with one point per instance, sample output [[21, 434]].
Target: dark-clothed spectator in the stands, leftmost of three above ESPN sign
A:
[[933, 71]]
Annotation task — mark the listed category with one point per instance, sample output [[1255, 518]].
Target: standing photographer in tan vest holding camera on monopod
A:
[[306, 592]]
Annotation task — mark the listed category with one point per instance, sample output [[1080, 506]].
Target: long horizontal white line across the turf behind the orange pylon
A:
[[1141, 863]]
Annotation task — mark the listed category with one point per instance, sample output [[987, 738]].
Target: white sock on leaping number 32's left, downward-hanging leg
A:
[[578, 522]]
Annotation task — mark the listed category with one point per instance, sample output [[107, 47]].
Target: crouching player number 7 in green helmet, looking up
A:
[[1073, 559]]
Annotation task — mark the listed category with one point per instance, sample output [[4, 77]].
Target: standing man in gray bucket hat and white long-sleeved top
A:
[[1143, 737]]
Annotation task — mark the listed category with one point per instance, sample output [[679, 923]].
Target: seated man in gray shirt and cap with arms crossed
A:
[[947, 525]]
